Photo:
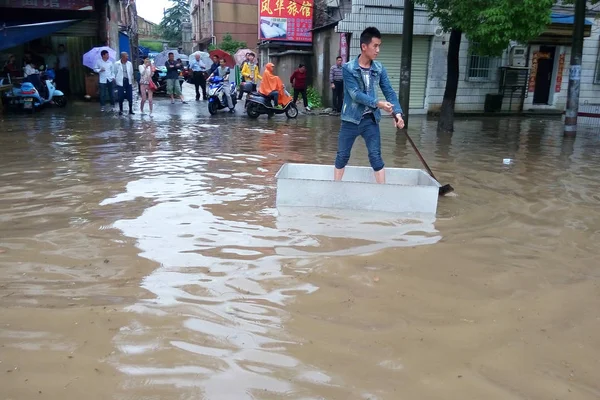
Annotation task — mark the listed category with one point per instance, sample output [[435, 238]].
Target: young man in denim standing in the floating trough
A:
[[361, 110]]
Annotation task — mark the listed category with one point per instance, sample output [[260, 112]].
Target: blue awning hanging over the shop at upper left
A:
[[12, 35]]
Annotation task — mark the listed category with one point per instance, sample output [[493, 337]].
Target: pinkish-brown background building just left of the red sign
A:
[[213, 19]]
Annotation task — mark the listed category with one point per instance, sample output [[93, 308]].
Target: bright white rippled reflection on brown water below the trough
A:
[[221, 285]]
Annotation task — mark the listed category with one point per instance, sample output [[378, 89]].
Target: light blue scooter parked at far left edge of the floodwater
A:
[[29, 98]]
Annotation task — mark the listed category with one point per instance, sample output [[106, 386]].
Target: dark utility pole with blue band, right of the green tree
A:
[[575, 70]]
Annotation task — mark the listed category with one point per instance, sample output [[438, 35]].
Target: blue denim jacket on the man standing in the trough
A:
[[355, 98]]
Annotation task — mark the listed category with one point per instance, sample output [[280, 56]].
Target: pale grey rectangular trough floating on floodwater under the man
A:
[[406, 191]]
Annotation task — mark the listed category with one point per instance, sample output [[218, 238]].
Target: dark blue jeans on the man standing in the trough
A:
[[369, 130]]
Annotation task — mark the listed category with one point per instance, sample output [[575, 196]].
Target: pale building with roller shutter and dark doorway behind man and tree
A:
[[529, 76]]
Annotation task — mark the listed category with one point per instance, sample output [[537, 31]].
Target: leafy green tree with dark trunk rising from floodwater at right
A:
[[491, 25]]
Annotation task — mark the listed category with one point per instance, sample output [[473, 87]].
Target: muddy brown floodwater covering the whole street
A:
[[143, 258]]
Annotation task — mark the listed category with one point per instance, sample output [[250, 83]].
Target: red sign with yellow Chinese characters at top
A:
[[286, 20]]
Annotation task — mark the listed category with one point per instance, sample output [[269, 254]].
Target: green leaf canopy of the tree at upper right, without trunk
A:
[[492, 23]]
